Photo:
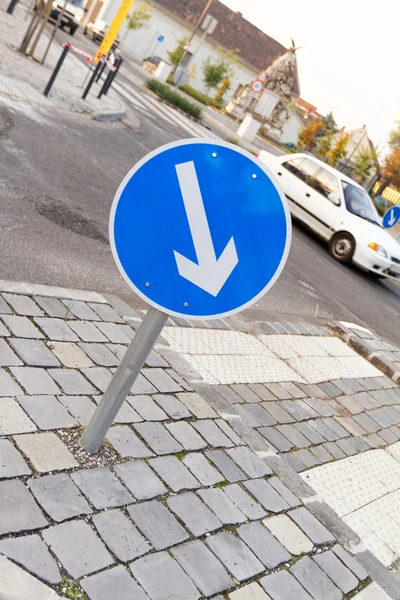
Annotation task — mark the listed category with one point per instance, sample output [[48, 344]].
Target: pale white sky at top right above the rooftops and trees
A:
[[348, 57]]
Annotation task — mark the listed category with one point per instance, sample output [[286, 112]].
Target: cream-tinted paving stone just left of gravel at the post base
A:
[[46, 451]]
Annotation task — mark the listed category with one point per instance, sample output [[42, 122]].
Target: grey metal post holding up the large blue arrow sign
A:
[[123, 379]]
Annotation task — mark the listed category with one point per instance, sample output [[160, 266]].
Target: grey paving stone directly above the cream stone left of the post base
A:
[[47, 412]]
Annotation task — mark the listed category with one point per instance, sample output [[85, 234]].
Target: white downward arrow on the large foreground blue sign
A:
[[209, 274]]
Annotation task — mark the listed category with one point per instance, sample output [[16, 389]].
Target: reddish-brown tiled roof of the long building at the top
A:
[[232, 31]]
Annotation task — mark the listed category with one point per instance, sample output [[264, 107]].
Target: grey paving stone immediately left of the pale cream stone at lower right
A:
[[263, 544]]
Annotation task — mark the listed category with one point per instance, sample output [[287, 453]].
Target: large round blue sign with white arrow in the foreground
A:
[[199, 229]]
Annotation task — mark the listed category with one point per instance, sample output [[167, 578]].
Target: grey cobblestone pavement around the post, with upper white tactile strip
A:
[[194, 493]]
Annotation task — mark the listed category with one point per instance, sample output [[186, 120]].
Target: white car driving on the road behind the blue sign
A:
[[338, 209]]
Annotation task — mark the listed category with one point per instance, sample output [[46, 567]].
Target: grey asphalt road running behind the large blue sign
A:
[[58, 176]]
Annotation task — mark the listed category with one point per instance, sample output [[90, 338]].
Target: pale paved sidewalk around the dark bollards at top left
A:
[[24, 80]]
